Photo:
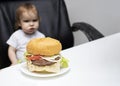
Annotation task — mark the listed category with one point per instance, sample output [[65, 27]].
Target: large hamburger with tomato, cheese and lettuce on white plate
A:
[[43, 55]]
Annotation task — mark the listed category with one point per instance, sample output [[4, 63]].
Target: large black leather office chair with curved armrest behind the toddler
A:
[[54, 23]]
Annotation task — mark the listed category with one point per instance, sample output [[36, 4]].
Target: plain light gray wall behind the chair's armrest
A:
[[102, 14]]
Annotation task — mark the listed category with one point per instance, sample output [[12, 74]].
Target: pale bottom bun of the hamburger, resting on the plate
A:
[[52, 68]]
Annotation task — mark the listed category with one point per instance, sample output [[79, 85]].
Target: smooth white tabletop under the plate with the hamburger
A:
[[95, 63]]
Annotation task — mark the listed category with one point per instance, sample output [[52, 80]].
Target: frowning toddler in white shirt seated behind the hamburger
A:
[[27, 23]]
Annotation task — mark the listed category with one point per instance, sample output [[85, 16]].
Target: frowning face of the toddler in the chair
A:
[[29, 22]]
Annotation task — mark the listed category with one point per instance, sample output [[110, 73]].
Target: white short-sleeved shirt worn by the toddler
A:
[[19, 39]]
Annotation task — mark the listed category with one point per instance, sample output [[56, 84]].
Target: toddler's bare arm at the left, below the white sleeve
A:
[[12, 55]]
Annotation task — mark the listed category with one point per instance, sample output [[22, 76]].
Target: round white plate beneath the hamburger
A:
[[24, 69]]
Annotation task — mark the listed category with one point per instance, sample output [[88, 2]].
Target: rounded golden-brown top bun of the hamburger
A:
[[44, 46]]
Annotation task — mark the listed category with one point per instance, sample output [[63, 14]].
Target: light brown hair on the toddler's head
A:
[[26, 7]]
